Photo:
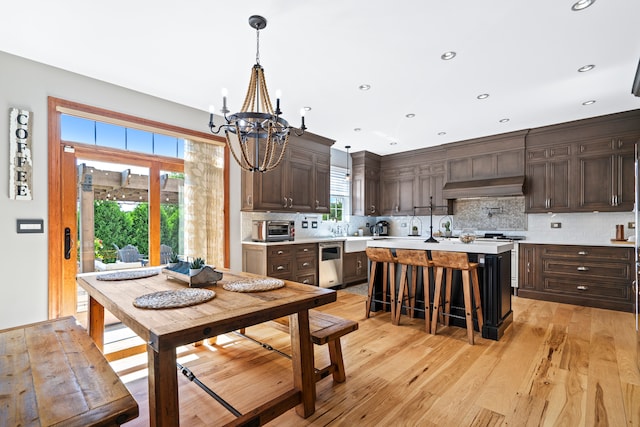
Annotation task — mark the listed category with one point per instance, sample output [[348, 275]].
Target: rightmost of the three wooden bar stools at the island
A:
[[456, 261]]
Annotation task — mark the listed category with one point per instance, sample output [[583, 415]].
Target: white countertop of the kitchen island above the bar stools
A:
[[450, 245]]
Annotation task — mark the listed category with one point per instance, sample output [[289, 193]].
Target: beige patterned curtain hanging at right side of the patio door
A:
[[204, 202]]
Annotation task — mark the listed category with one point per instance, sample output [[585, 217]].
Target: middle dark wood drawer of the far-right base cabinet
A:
[[590, 270]]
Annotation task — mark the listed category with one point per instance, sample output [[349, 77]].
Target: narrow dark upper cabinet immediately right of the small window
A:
[[365, 183]]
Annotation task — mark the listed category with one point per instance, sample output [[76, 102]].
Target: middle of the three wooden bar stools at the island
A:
[[413, 258]]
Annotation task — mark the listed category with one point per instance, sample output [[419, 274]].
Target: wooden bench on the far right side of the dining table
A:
[[325, 329]]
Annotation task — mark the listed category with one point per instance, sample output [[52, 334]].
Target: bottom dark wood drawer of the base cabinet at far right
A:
[[579, 288]]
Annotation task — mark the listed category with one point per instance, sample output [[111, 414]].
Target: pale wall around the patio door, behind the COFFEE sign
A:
[[26, 84]]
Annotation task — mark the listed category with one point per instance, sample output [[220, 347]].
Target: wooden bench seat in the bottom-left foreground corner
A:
[[53, 374]]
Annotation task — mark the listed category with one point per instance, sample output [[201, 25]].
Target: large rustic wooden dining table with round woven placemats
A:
[[165, 329]]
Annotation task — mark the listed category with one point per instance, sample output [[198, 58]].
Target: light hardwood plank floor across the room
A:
[[557, 364]]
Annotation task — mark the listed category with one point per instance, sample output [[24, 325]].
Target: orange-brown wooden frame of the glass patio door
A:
[[62, 192]]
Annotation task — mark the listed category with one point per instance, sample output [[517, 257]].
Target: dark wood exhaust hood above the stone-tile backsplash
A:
[[493, 187]]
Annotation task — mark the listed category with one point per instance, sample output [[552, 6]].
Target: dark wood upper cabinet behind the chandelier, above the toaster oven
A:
[[299, 184]]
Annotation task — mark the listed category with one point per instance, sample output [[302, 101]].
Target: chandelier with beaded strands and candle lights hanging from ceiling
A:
[[256, 135]]
